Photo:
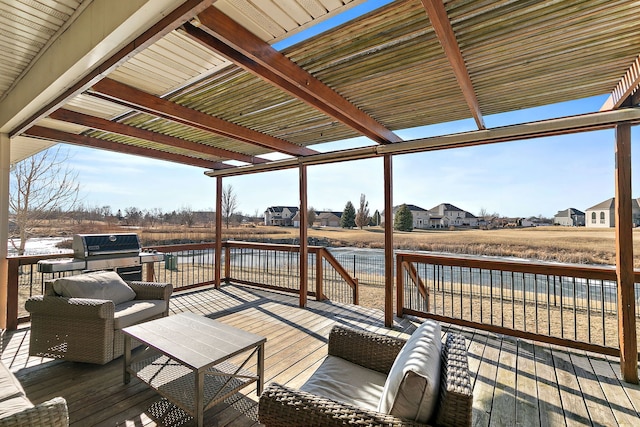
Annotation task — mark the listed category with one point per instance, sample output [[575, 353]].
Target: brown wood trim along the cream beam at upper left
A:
[[173, 20]]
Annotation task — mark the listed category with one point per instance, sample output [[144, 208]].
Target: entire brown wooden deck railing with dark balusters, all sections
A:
[[571, 305]]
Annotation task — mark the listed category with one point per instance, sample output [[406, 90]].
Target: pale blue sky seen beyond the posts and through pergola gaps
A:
[[524, 178]]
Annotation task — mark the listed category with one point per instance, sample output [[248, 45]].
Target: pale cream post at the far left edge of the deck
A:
[[5, 145]]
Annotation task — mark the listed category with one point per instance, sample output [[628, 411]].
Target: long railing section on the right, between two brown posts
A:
[[571, 305]]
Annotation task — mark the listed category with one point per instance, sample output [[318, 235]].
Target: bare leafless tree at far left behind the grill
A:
[[41, 184]]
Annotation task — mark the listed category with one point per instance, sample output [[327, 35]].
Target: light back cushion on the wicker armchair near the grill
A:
[[99, 285]]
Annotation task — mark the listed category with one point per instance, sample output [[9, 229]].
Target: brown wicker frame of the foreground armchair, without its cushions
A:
[[284, 406]]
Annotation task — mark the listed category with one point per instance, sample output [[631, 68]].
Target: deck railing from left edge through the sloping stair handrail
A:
[[193, 265]]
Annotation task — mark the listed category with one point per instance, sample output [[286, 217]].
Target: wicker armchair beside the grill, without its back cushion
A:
[[86, 329]]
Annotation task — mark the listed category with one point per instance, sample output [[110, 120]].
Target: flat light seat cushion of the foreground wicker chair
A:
[[346, 382]]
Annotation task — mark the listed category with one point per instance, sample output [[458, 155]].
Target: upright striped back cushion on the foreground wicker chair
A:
[[412, 387]]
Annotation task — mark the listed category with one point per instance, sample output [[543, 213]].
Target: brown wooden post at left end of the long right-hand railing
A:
[[388, 241]]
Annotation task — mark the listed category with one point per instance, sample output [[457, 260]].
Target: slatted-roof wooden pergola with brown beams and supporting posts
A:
[[200, 83]]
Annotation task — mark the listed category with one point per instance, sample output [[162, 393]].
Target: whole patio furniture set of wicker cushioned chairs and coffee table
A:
[[366, 378]]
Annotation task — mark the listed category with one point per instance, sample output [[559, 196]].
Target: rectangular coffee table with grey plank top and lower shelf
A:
[[186, 360]]
